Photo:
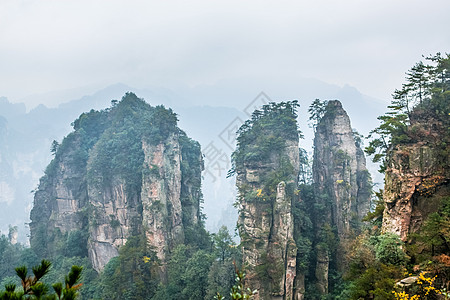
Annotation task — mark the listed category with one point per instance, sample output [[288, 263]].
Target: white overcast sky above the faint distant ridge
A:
[[48, 45]]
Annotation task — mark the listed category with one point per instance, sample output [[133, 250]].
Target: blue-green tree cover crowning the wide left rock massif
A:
[[113, 136]]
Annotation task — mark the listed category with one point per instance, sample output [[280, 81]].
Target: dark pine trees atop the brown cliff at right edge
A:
[[427, 90]]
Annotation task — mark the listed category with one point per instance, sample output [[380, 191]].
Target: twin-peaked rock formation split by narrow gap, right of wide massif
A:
[[282, 234]]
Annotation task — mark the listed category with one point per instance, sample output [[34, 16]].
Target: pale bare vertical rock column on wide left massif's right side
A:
[[161, 188]]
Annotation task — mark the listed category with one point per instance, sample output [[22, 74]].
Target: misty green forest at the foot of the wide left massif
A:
[[193, 271]]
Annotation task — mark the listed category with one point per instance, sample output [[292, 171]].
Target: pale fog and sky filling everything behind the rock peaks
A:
[[207, 59]]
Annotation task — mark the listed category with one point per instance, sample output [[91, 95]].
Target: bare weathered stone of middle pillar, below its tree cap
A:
[[266, 229]]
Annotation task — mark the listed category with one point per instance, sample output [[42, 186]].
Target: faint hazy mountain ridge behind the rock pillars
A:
[[205, 112]]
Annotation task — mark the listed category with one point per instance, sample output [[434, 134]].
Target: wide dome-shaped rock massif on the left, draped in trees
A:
[[124, 171]]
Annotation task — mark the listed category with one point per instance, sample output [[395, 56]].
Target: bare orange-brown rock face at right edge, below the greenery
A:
[[416, 178]]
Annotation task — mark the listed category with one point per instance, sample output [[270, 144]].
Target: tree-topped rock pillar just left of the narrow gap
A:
[[267, 166]]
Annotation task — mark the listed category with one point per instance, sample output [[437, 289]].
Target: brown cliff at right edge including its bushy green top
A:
[[417, 176]]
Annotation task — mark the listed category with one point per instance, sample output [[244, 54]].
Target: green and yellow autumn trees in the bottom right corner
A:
[[379, 261]]
